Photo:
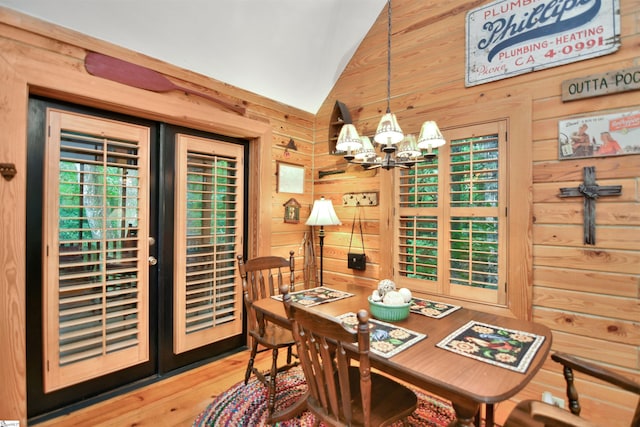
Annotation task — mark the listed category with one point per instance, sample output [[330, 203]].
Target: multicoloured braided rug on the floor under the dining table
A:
[[247, 406]]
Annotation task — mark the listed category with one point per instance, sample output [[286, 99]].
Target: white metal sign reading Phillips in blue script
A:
[[511, 37]]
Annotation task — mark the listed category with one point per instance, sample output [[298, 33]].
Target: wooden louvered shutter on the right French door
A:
[[209, 225]]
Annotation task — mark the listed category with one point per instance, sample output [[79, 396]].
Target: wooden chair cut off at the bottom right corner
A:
[[536, 413]]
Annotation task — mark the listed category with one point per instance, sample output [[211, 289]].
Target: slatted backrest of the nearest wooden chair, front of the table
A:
[[321, 341]]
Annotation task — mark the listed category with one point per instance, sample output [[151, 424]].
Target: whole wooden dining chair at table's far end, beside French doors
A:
[[262, 278]]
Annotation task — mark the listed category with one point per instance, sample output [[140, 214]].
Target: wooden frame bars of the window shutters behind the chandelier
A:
[[440, 214]]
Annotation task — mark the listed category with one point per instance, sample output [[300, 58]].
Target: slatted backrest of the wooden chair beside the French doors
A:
[[261, 278]]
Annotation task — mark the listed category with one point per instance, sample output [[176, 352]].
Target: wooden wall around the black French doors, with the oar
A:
[[44, 59]]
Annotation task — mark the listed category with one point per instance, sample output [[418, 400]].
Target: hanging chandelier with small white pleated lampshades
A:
[[398, 150]]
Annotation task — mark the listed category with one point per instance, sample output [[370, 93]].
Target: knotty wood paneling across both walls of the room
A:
[[588, 295]]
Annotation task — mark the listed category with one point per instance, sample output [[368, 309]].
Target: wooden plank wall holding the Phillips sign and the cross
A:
[[588, 295]]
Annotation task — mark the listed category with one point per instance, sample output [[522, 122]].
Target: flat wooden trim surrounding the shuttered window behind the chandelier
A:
[[516, 112]]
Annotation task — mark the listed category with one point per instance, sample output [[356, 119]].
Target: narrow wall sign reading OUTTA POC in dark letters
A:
[[624, 80]]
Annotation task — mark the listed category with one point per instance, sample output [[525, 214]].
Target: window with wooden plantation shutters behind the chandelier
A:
[[452, 221]]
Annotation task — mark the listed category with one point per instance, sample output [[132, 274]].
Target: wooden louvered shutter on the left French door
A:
[[95, 272]]
